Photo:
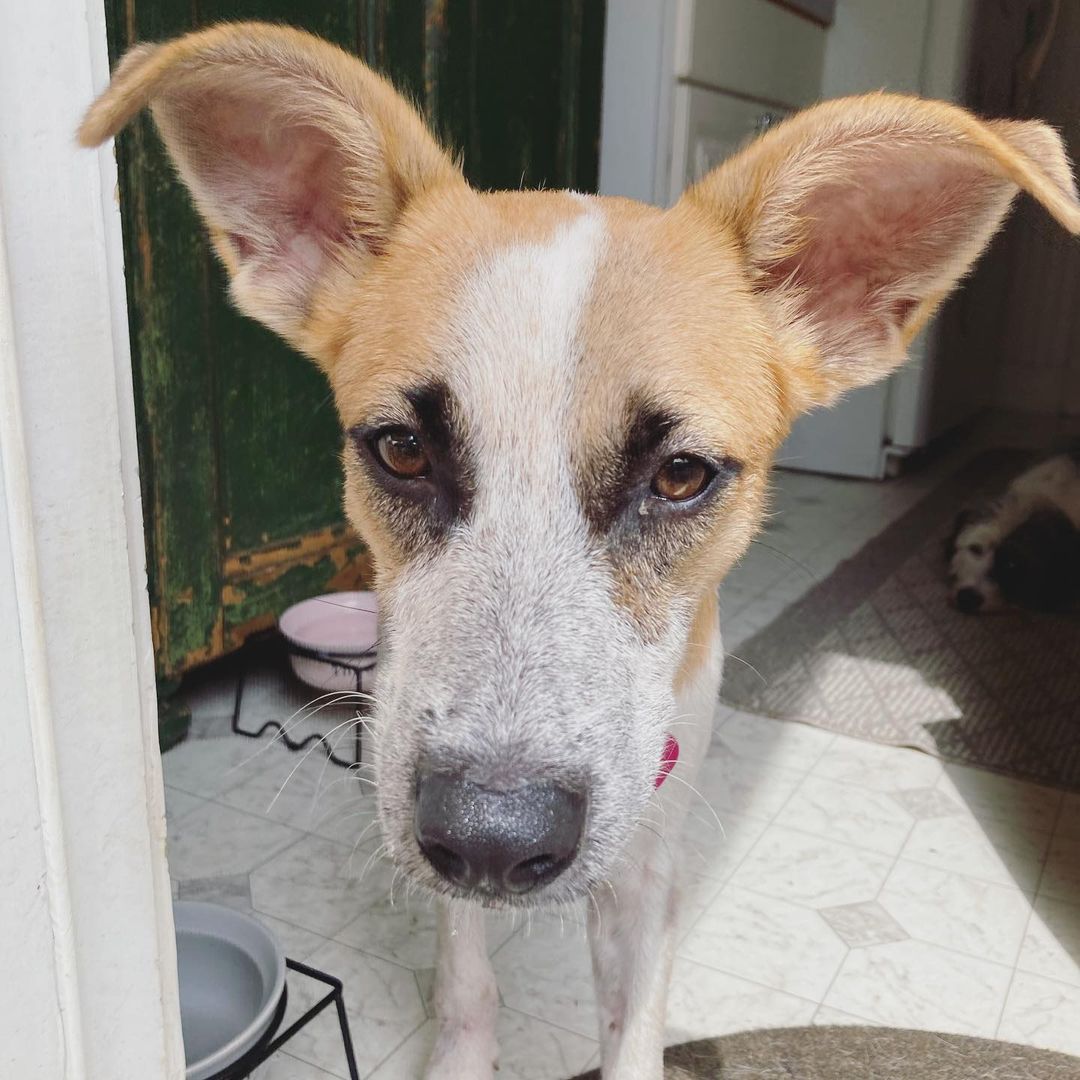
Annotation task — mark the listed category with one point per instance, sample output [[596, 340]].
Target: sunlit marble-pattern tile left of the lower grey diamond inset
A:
[[772, 942]]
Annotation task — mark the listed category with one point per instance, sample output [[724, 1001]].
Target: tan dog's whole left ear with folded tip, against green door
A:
[[299, 157]]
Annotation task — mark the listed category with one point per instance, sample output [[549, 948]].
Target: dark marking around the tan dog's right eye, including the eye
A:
[[655, 477]]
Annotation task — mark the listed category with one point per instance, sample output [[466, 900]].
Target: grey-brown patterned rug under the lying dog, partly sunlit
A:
[[876, 652]]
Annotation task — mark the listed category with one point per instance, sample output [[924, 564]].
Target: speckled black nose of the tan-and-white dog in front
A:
[[504, 843]]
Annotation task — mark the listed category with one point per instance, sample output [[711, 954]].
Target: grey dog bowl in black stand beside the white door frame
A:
[[233, 979]]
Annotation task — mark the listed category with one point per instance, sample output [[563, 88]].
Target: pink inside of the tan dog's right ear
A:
[[877, 241]]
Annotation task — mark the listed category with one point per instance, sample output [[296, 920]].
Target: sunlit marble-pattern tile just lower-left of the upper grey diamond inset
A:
[[855, 816]]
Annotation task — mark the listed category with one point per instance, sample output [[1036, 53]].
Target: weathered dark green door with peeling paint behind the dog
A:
[[239, 441]]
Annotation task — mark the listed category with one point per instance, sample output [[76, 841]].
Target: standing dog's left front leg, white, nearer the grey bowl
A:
[[467, 1000]]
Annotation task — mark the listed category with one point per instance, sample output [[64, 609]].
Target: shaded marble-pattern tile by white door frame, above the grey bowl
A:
[[215, 841]]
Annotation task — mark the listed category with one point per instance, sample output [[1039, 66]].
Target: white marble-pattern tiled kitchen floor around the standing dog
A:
[[854, 883]]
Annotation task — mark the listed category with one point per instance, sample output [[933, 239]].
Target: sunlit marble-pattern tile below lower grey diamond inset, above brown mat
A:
[[913, 984]]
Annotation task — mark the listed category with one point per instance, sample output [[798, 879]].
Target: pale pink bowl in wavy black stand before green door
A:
[[341, 626]]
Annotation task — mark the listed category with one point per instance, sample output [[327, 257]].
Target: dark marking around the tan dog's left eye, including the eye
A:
[[420, 461]]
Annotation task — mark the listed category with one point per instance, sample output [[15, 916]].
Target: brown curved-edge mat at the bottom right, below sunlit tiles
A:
[[860, 1054]]
